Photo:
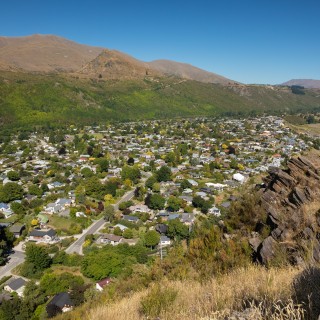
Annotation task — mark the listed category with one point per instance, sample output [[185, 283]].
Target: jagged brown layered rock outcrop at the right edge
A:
[[291, 200]]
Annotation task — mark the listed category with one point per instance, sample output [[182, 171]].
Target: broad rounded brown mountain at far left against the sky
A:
[[44, 53]]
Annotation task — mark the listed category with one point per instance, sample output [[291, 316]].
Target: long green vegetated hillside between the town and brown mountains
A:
[[29, 99]]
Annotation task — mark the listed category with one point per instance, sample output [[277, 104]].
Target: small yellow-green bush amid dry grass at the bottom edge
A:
[[157, 301]]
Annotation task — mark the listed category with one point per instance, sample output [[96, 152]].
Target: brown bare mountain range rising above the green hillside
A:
[[49, 53]]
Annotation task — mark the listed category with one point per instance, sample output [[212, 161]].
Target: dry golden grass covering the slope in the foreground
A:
[[262, 293]]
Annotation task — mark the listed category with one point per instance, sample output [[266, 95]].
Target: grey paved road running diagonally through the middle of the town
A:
[[76, 247]]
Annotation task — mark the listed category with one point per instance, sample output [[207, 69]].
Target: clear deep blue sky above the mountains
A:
[[251, 41]]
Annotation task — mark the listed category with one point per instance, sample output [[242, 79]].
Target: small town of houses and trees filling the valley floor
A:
[[100, 200]]
